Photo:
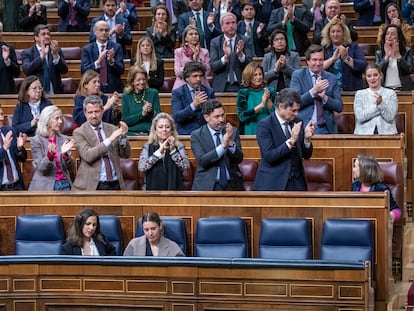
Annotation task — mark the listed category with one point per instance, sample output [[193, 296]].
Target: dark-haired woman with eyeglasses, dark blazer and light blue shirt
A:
[[31, 103]]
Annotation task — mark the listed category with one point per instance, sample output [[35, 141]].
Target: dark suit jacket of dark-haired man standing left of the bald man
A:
[[33, 65]]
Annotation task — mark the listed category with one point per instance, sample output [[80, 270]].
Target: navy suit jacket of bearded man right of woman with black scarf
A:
[[204, 150]]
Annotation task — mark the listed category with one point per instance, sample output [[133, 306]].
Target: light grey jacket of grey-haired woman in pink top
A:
[[44, 169]]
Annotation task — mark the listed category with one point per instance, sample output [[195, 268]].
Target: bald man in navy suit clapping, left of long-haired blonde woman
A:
[[105, 57]]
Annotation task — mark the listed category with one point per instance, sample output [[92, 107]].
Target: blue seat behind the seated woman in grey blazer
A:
[[174, 229]]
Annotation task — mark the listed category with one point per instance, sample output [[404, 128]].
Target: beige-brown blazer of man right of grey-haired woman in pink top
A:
[[90, 151]]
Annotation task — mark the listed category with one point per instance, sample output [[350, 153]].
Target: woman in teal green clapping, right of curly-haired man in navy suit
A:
[[255, 100]]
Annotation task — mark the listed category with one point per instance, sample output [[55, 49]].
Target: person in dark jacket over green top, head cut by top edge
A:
[[295, 21]]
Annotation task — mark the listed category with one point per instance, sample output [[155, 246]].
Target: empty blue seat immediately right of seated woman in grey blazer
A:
[[221, 237]]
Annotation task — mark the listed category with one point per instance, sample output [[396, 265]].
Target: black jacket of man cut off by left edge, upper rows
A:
[[7, 85]]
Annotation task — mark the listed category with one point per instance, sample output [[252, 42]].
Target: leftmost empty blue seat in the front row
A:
[[39, 235]]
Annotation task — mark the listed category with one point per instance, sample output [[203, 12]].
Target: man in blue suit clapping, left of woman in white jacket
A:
[[319, 90]]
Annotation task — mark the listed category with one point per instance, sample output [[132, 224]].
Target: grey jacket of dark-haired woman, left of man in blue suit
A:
[[271, 76]]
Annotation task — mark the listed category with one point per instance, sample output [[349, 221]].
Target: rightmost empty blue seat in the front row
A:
[[348, 240]]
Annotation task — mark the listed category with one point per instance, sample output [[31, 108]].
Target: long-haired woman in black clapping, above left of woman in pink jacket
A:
[[162, 33]]
